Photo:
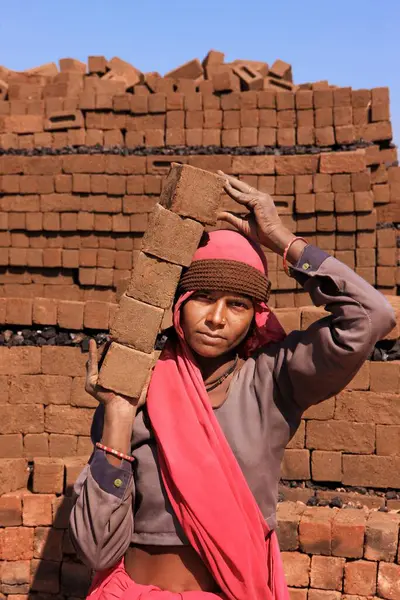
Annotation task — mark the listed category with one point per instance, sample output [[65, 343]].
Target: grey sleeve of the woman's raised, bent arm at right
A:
[[315, 364]]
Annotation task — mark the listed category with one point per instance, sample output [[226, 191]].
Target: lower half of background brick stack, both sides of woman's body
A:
[[329, 554]]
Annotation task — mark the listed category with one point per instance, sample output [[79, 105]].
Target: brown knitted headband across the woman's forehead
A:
[[228, 276]]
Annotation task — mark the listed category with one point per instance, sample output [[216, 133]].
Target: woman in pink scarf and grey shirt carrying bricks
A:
[[194, 513]]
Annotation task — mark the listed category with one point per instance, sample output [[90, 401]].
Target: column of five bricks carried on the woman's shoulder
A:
[[175, 230]]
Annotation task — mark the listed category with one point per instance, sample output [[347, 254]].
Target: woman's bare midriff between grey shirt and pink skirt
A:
[[174, 568]]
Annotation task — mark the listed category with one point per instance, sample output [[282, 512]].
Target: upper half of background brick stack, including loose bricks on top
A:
[[84, 151]]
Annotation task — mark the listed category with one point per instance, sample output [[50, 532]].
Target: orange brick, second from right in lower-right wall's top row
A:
[[348, 530]]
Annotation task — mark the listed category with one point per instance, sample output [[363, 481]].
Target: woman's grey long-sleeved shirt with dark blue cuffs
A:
[[114, 507]]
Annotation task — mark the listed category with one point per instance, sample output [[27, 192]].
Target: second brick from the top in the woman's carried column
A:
[[165, 226]]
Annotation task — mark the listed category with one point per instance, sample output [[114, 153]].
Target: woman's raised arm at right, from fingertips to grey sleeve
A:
[[317, 363]]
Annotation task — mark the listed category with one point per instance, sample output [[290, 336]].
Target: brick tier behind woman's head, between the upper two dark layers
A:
[[71, 226]]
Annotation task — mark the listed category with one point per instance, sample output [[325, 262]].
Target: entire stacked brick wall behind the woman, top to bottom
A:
[[83, 154]]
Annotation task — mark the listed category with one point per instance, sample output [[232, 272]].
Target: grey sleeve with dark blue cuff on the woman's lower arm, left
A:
[[101, 521]]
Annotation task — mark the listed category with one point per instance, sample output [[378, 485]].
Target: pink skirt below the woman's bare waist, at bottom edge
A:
[[115, 584]]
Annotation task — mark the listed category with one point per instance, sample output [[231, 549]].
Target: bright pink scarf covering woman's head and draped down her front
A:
[[202, 478]]
